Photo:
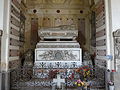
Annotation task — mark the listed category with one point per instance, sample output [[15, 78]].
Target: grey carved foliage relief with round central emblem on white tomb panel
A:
[[58, 55]]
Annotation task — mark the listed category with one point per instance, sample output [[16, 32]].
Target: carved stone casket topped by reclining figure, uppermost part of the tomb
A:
[[64, 31]]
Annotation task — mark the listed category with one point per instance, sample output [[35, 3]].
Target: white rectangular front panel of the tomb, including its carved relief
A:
[[56, 55]]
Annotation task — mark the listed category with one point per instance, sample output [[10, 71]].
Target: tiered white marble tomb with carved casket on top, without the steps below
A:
[[58, 48]]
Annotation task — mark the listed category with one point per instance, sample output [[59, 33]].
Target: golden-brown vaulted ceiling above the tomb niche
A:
[[77, 4]]
